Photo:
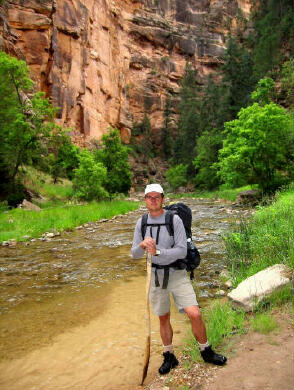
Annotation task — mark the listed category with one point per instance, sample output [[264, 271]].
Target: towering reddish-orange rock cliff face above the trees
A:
[[107, 63]]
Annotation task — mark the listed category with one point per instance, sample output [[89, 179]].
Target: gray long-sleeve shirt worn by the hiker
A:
[[171, 248]]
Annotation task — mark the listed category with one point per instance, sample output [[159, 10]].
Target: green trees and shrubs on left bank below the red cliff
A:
[[30, 136]]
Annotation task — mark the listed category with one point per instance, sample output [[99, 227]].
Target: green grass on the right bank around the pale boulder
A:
[[265, 239]]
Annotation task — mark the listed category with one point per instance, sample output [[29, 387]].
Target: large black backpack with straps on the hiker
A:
[[192, 259]]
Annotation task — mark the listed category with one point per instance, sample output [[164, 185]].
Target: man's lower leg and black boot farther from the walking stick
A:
[[199, 332]]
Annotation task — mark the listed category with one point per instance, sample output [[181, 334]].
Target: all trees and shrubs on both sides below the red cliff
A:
[[231, 130]]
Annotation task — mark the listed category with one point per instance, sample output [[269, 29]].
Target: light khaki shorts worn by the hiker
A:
[[179, 285]]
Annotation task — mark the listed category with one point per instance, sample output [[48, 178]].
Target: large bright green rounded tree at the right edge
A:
[[256, 148]]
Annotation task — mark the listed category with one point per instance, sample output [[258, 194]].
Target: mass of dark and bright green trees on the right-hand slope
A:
[[254, 81]]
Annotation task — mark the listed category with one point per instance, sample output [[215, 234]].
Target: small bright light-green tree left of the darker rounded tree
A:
[[89, 178]]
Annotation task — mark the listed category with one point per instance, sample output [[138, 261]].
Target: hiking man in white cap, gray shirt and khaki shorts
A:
[[166, 249]]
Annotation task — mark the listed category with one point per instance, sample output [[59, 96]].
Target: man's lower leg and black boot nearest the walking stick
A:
[[166, 333]]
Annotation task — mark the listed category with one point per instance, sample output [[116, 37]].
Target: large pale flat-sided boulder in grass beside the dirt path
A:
[[256, 287]]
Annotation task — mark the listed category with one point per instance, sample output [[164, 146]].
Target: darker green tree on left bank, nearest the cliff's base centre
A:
[[114, 156]]
